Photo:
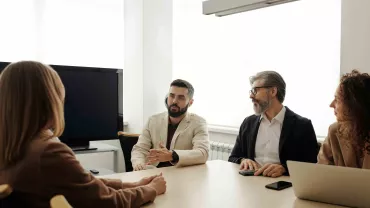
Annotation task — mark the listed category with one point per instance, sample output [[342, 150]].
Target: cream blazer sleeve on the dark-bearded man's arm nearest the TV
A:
[[141, 149]]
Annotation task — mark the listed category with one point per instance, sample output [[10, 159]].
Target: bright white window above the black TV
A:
[[66, 32]]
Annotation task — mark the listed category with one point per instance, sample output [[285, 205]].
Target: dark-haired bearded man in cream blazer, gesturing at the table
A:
[[173, 138]]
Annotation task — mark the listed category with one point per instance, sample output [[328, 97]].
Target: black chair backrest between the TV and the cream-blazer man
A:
[[127, 142]]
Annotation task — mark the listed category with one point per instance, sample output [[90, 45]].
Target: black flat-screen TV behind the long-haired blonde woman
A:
[[93, 104]]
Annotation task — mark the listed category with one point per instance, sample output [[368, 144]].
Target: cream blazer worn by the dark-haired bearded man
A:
[[190, 141]]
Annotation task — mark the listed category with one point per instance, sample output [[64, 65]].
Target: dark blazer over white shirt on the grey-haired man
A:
[[297, 140]]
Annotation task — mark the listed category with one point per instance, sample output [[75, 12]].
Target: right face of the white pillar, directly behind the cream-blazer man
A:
[[157, 42]]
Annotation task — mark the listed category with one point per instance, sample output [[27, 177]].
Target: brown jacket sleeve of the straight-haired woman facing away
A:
[[64, 175]]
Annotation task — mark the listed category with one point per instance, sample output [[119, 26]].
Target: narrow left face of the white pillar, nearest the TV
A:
[[133, 68]]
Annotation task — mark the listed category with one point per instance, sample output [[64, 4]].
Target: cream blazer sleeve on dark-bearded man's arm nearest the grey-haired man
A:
[[199, 153]]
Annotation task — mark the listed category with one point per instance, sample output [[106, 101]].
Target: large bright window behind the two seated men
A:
[[300, 40]]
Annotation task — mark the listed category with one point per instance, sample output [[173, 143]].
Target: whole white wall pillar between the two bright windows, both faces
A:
[[148, 59]]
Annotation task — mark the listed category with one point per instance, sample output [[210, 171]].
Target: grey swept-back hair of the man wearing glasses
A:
[[272, 78]]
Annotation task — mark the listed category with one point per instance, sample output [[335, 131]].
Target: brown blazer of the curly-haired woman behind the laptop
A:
[[338, 151]]
